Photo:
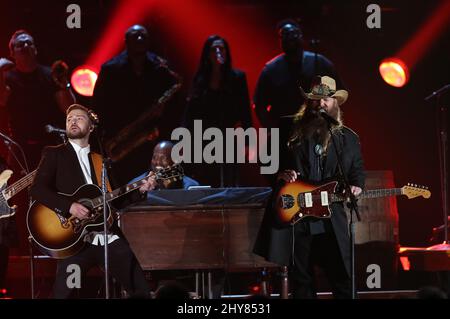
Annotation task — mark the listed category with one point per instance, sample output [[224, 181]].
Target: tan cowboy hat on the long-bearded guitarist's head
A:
[[324, 86]]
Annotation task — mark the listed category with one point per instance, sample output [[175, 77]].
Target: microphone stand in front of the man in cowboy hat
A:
[[353, 206]]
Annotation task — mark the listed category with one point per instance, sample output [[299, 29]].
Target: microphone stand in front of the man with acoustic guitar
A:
[[105, 162]]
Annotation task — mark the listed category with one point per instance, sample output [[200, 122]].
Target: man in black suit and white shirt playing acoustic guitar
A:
[[63, 169]]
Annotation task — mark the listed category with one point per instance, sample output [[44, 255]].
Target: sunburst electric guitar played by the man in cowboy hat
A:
[[298, 200]]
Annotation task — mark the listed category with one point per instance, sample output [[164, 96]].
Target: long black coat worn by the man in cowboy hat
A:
[[274, 242]]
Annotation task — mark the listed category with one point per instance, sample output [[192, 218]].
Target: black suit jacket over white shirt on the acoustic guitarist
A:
[[59, 171]]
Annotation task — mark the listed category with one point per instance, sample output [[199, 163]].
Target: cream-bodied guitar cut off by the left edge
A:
[[7, 192]]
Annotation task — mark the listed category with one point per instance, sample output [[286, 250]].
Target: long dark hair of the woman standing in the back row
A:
[[203, 74]]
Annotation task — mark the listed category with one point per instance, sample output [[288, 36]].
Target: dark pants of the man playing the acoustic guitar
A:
[[123, 266]]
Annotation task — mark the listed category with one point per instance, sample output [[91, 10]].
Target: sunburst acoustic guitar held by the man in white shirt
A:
[[60, 236]]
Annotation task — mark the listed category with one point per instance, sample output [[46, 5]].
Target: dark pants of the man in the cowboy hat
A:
[[322, 250]]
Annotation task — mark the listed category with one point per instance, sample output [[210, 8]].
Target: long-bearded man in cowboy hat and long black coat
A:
[[310, 155]]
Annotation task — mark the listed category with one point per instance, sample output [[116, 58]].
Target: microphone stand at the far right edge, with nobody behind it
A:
[[443, 161]]
